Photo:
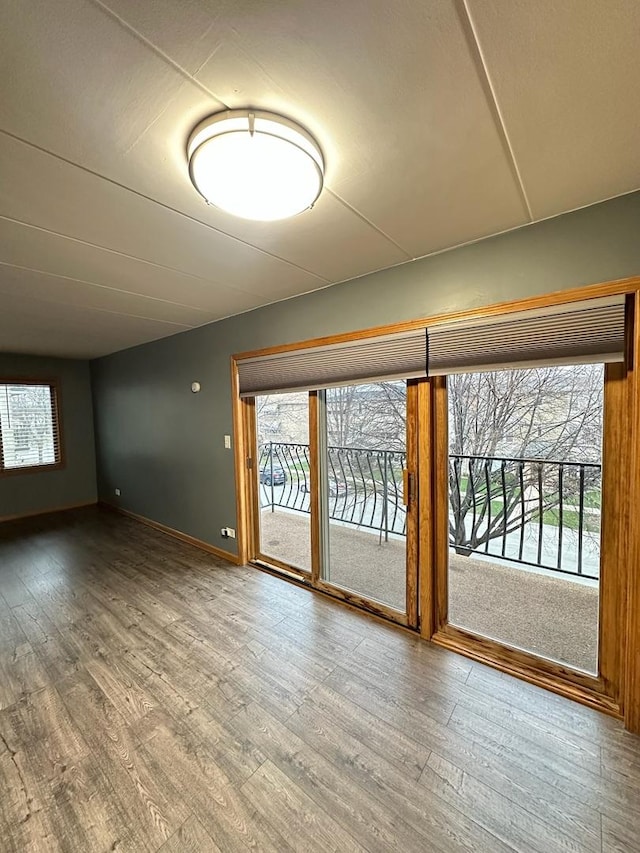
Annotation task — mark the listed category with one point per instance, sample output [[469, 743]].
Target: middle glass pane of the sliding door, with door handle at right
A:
[[363, 456]]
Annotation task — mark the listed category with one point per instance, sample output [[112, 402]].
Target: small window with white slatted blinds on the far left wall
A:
[[29, 426]]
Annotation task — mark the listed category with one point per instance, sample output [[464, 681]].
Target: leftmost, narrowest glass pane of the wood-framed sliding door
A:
[[282, 471]]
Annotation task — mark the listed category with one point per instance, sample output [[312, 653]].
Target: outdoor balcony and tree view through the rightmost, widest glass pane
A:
[[524, 508]]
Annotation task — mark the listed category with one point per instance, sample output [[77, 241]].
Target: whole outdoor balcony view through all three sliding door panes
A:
[[524, 477]]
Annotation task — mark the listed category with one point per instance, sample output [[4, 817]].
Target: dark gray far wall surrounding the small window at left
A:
[[33, 491]]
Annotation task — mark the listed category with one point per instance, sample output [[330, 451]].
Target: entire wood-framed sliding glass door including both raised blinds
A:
[[509, 440]]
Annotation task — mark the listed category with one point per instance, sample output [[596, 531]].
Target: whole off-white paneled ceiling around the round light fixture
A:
[[441, 122]]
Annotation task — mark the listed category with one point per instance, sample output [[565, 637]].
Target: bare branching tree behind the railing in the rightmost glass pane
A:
[[505, 428]]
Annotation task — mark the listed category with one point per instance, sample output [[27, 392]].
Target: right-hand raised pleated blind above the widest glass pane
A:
[[588, 331]]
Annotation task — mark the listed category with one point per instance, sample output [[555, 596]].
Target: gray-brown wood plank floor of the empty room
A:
[[154, 698]]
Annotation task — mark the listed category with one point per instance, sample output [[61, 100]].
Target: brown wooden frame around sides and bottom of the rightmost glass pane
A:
[[619, 567]]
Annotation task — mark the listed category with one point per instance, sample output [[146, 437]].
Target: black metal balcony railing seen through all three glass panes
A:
[[535, 512]]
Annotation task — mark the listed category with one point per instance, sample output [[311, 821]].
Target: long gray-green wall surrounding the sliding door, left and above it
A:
[[163, 446]]
